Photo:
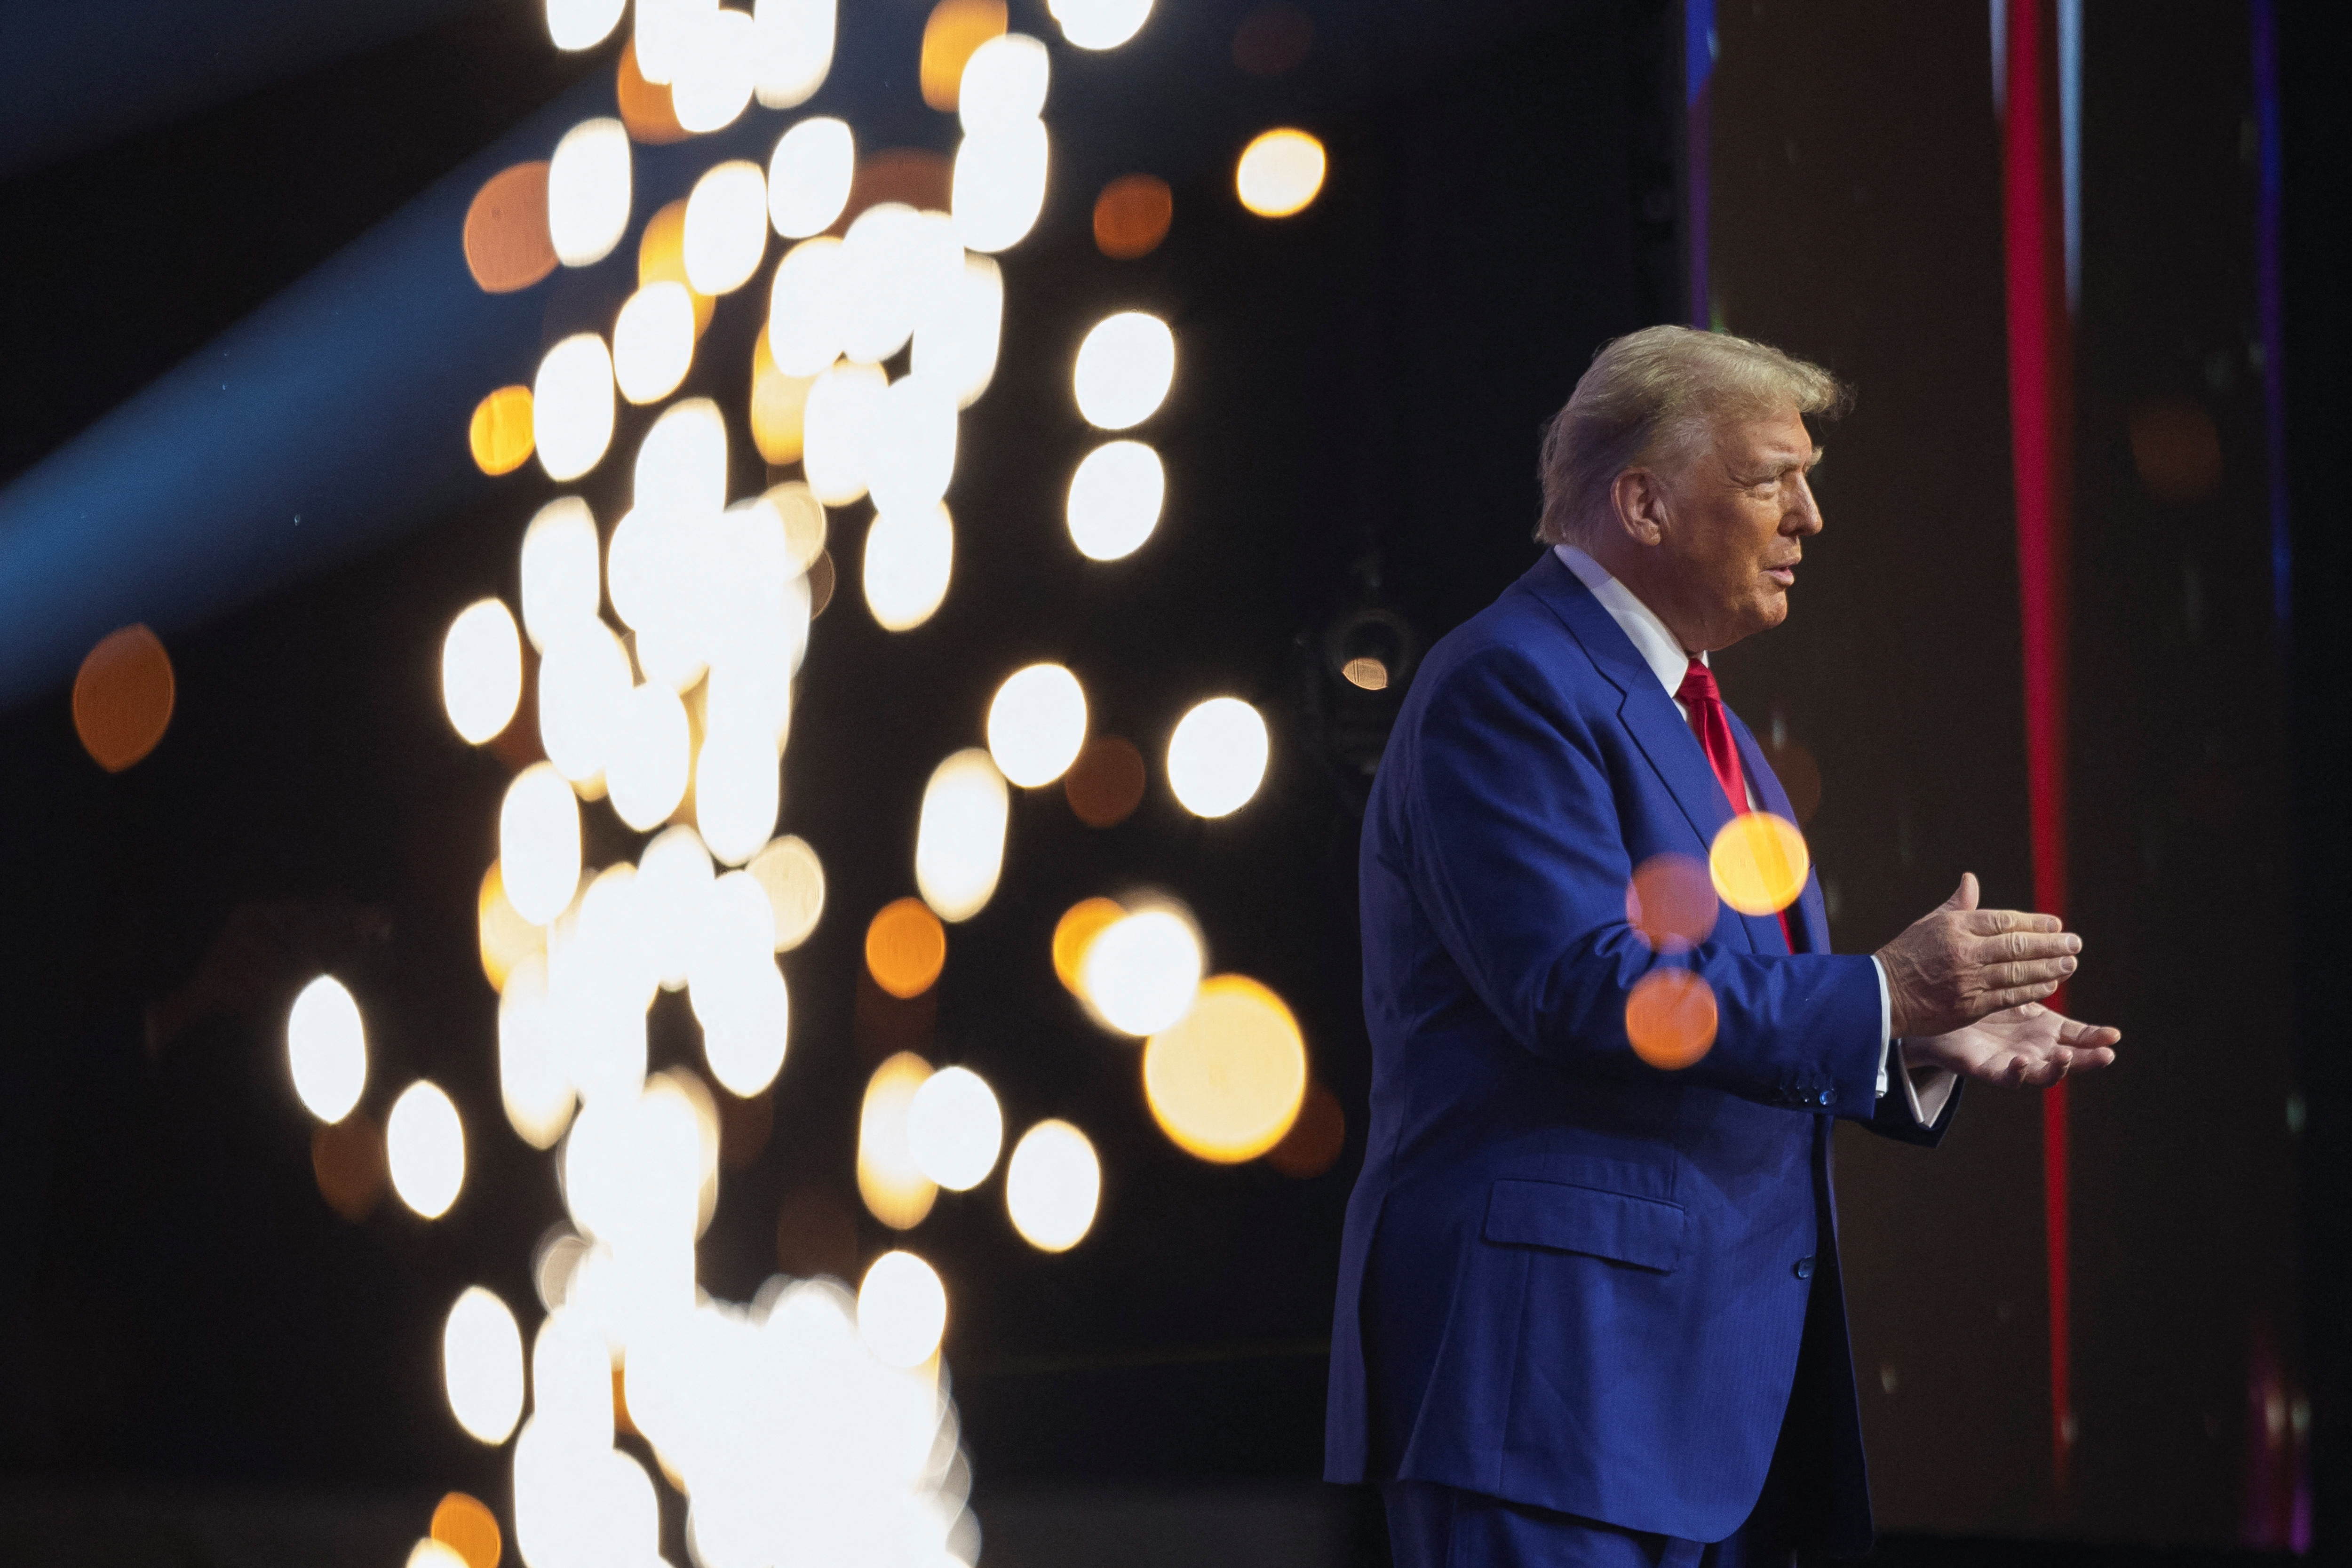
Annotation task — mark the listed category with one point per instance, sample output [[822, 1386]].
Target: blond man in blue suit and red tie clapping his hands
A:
[[1589, 1296]]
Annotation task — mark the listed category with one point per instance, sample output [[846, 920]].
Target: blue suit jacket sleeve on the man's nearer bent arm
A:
[[1521, 862]]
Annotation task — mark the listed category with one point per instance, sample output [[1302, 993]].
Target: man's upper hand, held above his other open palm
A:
[[1958, 965]]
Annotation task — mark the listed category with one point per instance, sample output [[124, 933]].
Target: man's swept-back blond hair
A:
[[1652, 398]]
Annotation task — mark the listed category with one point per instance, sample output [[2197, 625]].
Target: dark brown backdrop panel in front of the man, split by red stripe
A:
[[1859, 222]]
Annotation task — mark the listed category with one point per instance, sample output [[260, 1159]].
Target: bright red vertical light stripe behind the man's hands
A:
[[2040, 396]]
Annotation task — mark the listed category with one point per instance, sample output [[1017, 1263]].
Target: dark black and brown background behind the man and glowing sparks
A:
[[1356, 417]]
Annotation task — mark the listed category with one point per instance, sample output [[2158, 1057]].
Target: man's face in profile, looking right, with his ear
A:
[[1737, 523]]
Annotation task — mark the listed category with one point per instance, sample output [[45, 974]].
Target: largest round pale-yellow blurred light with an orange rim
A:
[[1227, 1080]]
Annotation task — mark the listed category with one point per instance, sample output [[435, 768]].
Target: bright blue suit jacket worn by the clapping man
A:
[[1570, 1278]]
